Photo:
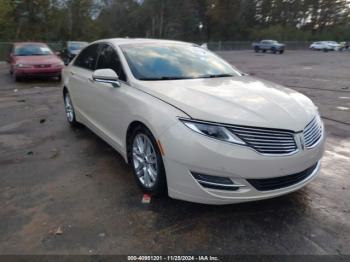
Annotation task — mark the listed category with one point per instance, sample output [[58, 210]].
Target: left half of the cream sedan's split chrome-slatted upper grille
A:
[[266, 141]]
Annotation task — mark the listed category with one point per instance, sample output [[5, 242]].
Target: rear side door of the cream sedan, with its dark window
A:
[[81, 87]]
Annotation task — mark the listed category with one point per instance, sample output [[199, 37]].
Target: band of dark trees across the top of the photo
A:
[[189, 20]]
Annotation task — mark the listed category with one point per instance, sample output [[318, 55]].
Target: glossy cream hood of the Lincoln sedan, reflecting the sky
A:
[[241, 100]]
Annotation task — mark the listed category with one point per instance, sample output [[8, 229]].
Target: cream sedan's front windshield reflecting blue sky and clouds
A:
[[175, 61]]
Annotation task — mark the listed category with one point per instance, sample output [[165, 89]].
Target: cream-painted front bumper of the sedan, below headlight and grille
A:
[[187, 151]]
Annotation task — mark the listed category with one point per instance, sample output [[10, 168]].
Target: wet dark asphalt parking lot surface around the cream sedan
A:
[[65, 191]]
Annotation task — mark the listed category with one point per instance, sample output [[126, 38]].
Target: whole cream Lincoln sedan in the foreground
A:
[[192, 125]]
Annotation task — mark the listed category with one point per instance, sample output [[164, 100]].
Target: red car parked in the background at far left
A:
[[34, 59]]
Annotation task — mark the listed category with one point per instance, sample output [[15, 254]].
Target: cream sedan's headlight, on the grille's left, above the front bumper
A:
[[212, 130]]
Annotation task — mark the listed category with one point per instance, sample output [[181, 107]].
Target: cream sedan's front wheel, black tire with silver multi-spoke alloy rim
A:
[[147, 162]]
